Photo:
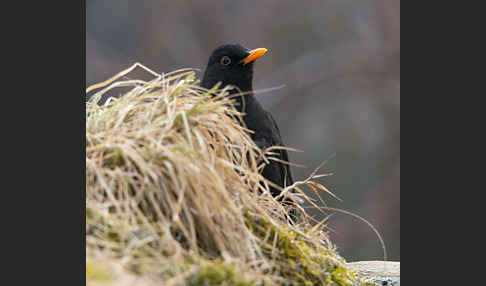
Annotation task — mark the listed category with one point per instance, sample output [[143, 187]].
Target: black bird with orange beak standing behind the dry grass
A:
[[233, 65]]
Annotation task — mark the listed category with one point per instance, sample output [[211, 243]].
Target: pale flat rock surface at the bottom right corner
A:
[[382, 273]]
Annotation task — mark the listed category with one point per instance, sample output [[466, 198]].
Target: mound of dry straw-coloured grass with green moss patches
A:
[[174, 194]]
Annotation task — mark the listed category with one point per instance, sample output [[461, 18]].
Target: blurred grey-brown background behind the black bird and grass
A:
[[339, 62]]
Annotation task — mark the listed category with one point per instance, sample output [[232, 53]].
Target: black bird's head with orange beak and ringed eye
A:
[[231, 65]]
